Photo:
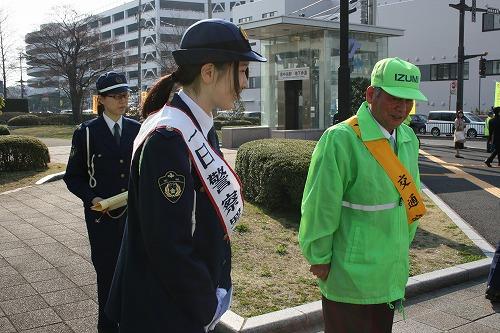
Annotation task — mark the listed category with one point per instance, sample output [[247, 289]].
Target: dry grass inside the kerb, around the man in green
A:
[[269, 272]]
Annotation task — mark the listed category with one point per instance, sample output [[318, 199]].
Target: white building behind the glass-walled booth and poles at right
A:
[[430, 41]]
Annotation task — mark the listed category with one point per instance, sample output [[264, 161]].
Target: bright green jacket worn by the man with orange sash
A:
[[352, 216]]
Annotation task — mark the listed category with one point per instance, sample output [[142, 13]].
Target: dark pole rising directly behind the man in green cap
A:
[[344, 81]]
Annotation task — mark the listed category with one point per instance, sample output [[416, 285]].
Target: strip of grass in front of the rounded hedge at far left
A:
[[16, 179]]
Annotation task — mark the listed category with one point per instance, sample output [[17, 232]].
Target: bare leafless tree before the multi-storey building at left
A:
[[72, 53]]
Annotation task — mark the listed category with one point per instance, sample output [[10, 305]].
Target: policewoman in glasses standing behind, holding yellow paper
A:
[[98, 168]]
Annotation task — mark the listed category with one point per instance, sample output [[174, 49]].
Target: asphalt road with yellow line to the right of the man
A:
[[467, 185]]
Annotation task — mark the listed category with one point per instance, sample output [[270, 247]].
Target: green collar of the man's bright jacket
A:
[[372, 130]]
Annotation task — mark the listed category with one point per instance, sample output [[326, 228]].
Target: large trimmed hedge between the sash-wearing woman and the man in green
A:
[[274, 171]]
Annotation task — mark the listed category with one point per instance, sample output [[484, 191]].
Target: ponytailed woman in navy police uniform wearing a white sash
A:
[[173, 273]]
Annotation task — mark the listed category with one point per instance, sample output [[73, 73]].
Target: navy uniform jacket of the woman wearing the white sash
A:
[[166, 277]]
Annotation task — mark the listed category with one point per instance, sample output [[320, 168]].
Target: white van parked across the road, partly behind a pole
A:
[[443, 122]]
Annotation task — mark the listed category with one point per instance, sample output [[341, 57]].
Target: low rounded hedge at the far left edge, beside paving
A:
[[19, 152]]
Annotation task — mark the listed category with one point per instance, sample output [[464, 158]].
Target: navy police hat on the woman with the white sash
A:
[[214, 40]]
